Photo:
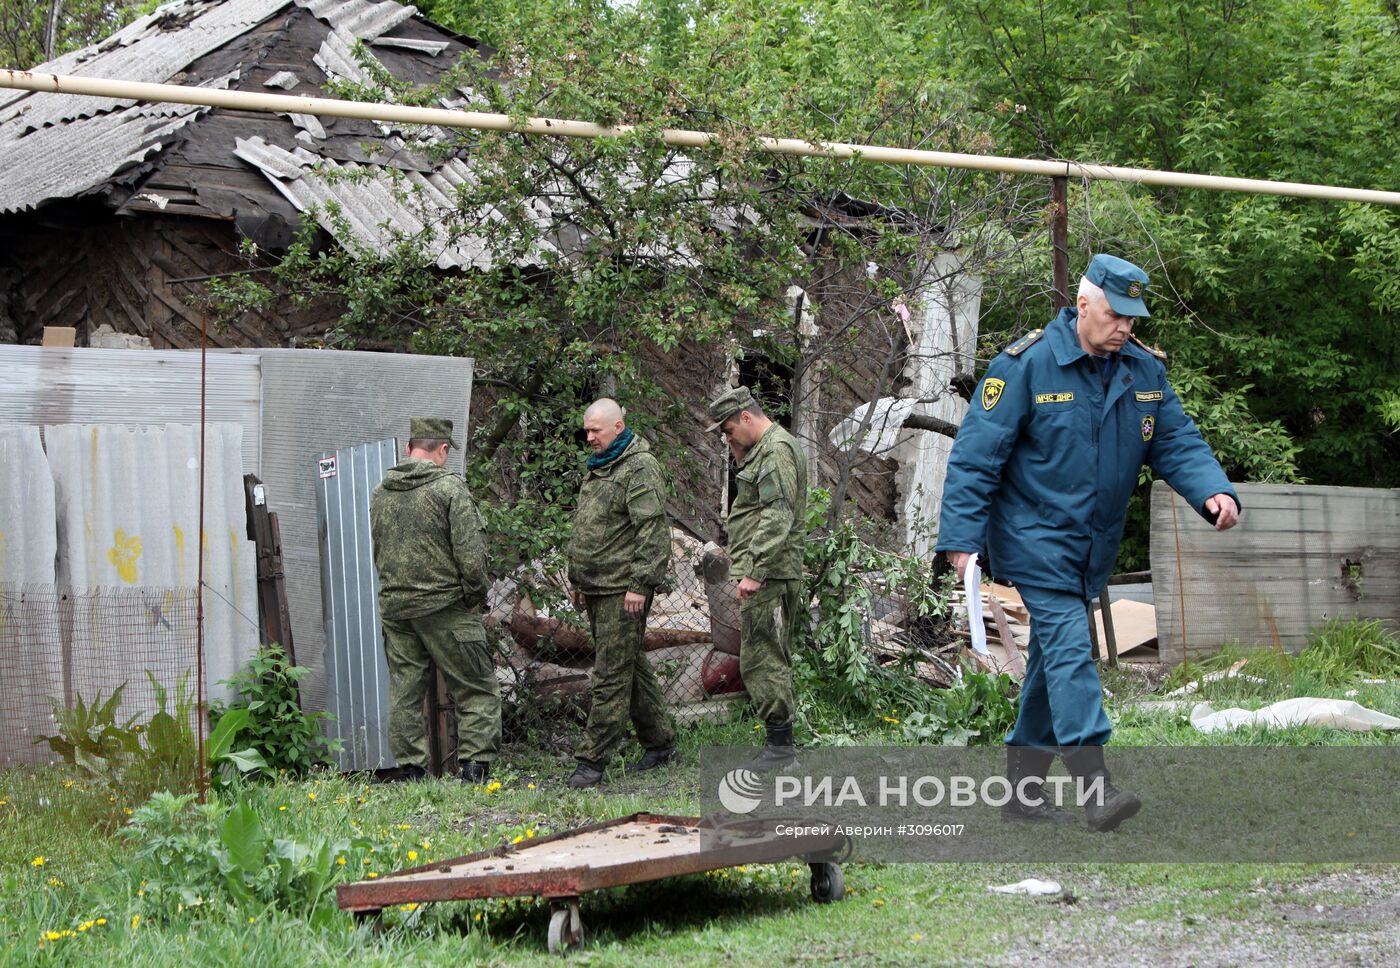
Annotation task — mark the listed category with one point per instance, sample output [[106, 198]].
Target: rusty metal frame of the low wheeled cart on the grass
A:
[[369, 897]]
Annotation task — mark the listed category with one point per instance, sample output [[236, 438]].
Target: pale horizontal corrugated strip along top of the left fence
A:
[[52, 386]]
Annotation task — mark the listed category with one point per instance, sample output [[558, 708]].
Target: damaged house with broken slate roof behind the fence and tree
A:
[[115, 215]]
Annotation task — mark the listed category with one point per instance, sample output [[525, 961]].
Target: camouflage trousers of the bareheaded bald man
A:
[[625, 687]]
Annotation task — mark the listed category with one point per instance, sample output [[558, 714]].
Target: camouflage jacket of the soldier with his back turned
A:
[[428, 541]]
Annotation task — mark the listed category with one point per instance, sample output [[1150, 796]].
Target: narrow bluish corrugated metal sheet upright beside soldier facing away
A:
[[358, 677]]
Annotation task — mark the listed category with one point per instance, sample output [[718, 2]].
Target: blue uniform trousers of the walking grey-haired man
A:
[[1062, 701]]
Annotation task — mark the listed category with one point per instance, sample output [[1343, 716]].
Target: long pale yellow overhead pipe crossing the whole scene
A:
[[678, 138]]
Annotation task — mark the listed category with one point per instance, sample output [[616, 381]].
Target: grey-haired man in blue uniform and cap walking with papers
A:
[[1039, 478]]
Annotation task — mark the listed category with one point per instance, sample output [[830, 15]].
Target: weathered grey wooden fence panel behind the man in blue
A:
[[1300, 557]]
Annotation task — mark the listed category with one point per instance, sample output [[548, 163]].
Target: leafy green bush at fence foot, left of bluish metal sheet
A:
[[268, 715]]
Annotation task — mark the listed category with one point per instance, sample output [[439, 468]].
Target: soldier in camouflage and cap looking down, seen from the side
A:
[[766, 529]]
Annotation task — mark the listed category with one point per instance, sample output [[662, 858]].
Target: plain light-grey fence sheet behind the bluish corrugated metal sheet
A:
[[317, 401]]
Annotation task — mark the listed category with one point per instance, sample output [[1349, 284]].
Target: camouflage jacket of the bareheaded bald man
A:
[[622, 539]]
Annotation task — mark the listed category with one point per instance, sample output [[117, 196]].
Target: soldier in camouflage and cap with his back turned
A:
[[432, 562]]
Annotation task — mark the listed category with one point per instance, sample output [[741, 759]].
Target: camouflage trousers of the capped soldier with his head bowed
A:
[[768, 624]]
